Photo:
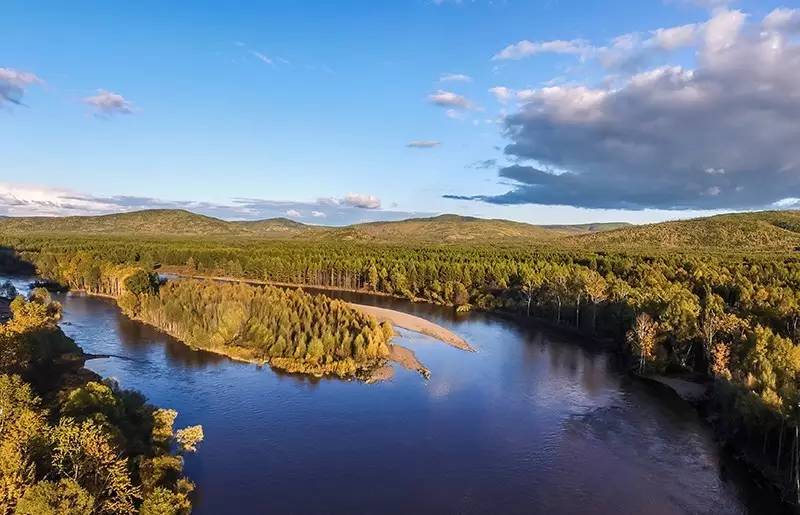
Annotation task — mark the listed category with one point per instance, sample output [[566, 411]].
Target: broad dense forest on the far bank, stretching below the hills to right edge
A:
[[730, 317]]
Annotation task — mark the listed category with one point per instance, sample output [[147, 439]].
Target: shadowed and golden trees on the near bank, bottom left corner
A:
[[71, 443]]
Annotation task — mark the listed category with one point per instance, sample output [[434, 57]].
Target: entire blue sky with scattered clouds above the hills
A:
[[546, 111]]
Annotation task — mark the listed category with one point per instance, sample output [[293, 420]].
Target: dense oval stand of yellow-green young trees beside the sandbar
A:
[[287, 328]]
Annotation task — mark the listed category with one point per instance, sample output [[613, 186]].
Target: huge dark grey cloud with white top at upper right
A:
[[720, 135]]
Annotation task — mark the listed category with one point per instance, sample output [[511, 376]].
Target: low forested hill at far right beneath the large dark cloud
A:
[[756, 231]]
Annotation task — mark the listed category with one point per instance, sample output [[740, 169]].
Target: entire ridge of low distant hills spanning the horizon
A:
[[757, 231]]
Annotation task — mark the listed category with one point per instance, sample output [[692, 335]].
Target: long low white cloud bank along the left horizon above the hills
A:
[[32, 200]]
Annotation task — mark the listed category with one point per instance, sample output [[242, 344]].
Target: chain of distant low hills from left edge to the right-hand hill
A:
[[175, 222]]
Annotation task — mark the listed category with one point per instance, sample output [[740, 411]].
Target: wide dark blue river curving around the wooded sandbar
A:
[[533, 422]]
